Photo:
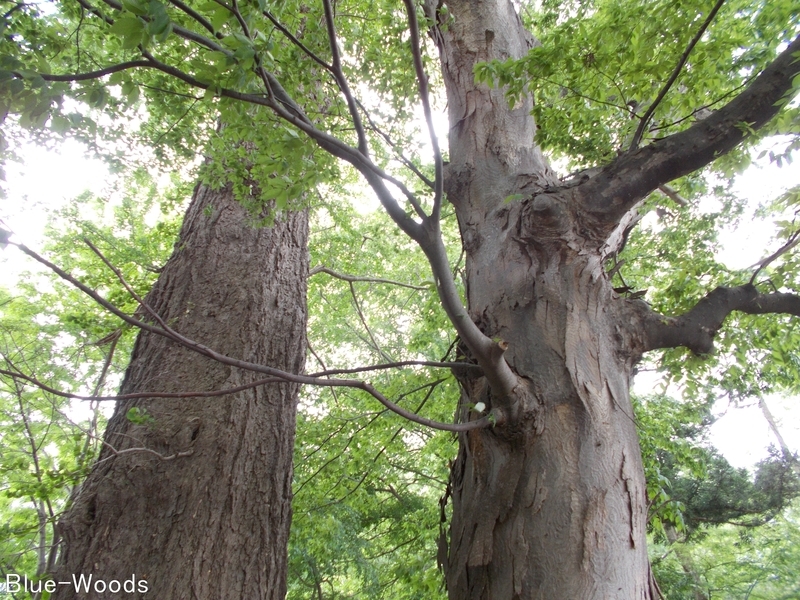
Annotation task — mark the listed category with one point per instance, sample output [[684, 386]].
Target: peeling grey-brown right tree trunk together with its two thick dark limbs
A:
[[551, 502]]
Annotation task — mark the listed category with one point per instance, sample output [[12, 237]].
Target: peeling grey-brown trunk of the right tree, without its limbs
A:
[[551, 504]]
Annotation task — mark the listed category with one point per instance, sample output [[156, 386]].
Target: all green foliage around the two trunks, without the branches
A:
[[367, 485]]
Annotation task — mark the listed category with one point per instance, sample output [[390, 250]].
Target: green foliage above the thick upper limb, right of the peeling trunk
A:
[[601, 65]]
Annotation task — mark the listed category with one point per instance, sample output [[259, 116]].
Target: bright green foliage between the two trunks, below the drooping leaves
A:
[[367, 483]]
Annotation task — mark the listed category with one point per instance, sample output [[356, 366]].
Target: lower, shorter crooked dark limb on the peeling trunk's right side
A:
[[696, 328]]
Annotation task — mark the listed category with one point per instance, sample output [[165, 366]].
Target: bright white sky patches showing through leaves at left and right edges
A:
[[49, 179]]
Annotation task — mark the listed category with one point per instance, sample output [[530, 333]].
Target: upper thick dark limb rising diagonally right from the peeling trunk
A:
[[629, 178]]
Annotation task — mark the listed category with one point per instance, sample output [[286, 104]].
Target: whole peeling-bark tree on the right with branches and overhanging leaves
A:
[[548, 490]]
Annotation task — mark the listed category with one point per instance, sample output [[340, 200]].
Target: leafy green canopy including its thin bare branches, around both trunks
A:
[[299, 106]]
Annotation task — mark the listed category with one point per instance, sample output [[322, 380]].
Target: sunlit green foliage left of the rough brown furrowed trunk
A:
[[68, 343]]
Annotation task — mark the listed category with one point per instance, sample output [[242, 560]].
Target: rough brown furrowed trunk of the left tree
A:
[[212, 522]]
